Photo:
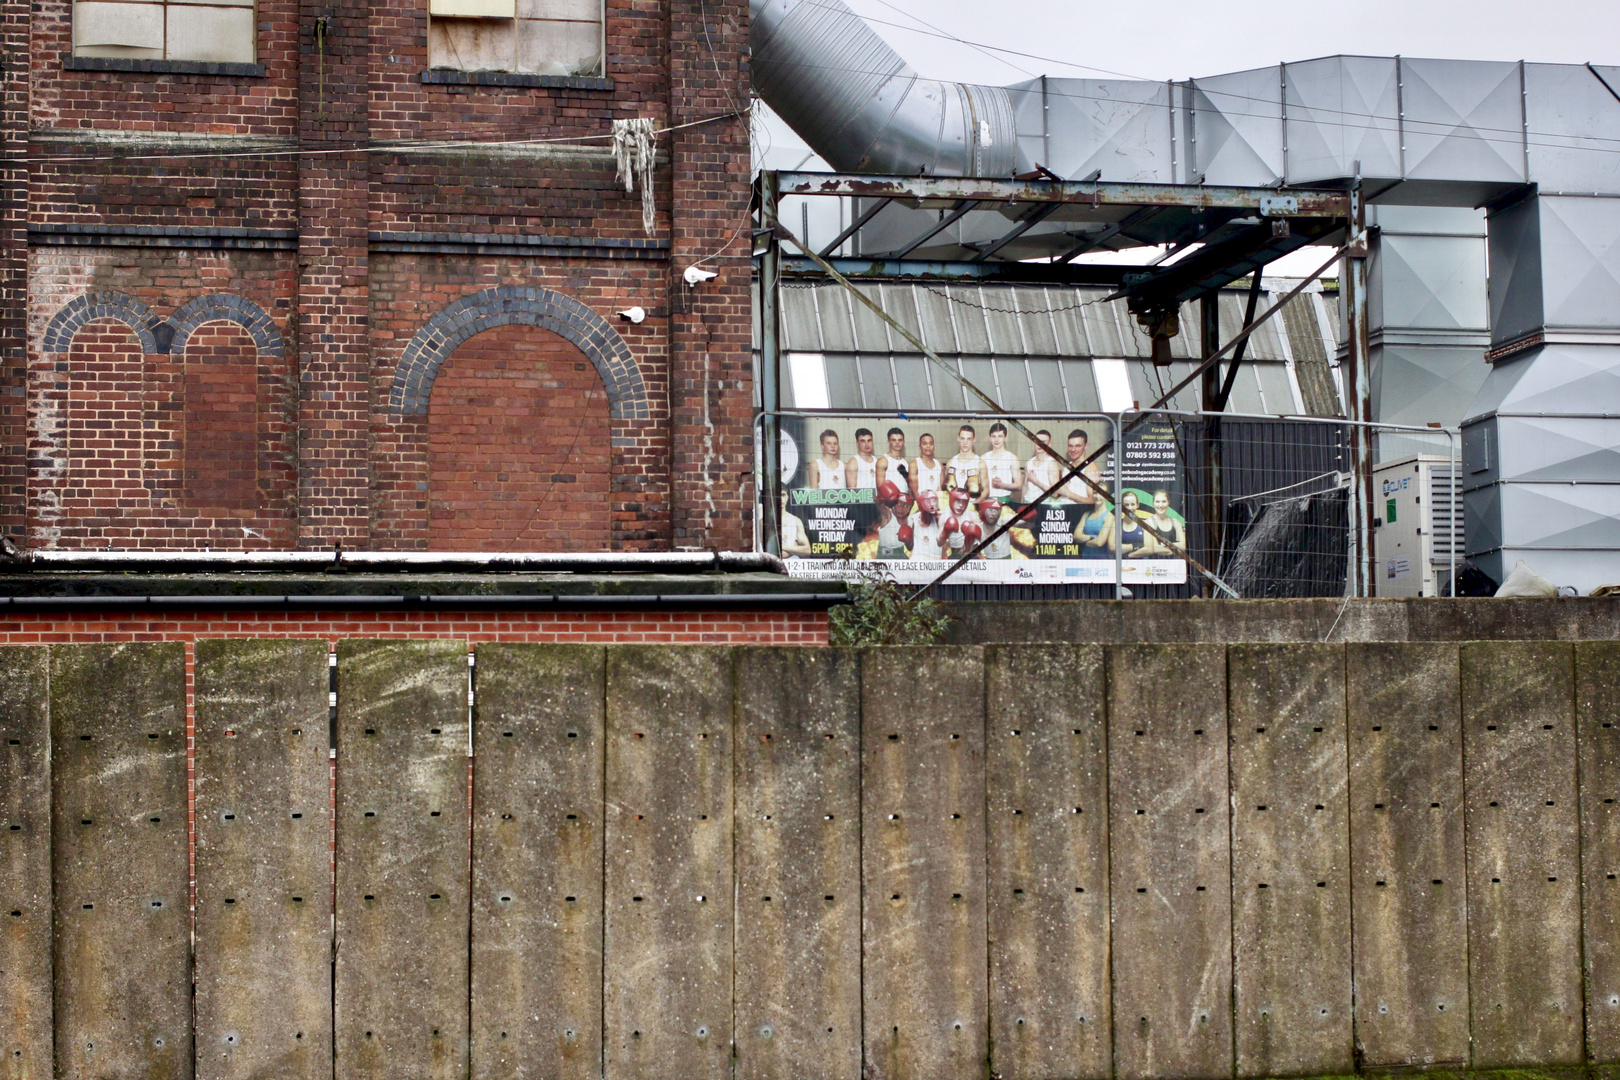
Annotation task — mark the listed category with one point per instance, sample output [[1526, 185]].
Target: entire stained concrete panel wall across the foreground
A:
[[945, 864]]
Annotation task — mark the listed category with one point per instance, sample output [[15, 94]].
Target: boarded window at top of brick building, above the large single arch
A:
[[521, 36]]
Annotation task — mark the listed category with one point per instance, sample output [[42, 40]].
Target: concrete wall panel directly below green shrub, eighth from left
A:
[[923, 716]]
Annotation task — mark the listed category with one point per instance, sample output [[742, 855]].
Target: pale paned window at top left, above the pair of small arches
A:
[[216, 32]]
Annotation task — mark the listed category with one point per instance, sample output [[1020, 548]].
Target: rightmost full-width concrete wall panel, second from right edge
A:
[[1524, 854]]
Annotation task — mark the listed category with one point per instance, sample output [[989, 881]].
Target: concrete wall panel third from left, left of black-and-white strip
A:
[[263, 861]]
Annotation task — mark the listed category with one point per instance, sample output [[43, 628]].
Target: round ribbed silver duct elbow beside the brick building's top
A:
[[863, 108]]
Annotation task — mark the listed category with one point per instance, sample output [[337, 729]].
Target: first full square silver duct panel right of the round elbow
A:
[[1117, 125]]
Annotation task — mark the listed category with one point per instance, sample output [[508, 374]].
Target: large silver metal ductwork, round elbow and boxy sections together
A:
[[1452, 168]]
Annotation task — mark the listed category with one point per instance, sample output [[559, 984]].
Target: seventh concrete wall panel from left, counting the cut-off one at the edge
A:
[[798, 992]]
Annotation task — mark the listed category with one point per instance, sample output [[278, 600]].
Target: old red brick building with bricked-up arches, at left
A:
[[296, 274]]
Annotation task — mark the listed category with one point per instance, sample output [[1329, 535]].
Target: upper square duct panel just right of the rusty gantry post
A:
[[1435, 283]]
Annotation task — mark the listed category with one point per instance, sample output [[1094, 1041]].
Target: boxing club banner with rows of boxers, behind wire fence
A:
[[916, 495]]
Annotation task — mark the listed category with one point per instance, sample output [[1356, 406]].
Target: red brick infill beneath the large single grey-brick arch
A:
[[519, 446]]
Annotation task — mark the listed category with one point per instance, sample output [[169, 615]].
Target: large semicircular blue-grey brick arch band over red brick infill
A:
[[519, 305]]
